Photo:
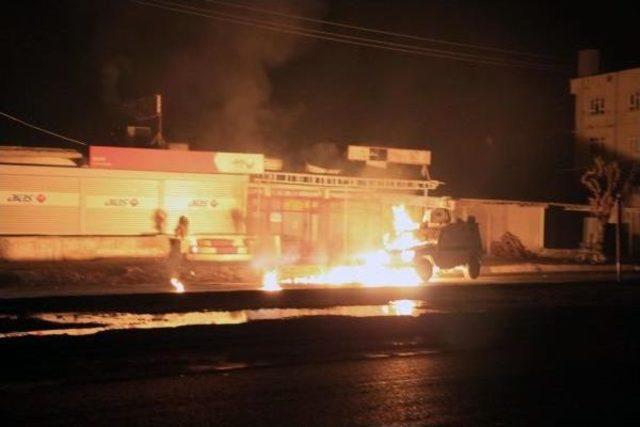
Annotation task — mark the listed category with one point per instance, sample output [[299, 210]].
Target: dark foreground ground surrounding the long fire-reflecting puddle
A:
[[525, 354]]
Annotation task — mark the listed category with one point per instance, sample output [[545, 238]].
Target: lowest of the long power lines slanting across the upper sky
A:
[[342, 38]]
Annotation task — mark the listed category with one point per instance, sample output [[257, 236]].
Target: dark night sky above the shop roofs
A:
[[494, 131]]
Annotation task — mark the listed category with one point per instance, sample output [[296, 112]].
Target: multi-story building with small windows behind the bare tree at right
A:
[[607, 111]]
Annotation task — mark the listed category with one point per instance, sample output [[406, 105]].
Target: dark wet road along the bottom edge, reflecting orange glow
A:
[[462, 389]]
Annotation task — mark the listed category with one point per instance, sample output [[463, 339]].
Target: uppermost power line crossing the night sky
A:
[[378, 31]]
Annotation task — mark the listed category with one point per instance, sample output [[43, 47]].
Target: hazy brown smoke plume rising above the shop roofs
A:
[[229, 69]]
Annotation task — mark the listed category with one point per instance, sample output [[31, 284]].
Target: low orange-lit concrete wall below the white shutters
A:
[[60, 248]]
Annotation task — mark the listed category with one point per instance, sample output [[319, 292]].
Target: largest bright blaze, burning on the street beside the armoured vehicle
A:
[[374, 268]]
